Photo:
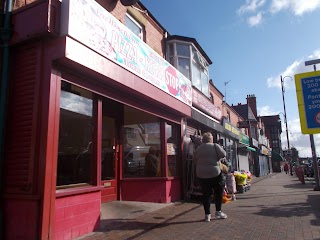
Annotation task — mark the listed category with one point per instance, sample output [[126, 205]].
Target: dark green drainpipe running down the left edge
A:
[[5, 36]]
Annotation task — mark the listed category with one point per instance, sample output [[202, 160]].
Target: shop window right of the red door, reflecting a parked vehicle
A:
[[142, 144]]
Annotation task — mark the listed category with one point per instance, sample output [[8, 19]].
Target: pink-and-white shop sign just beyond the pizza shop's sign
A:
[[203, 103]]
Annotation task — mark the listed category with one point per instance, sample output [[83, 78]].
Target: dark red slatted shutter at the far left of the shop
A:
[[23, 103]]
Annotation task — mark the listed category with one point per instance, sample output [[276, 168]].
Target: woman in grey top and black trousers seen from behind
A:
[[207, 159]]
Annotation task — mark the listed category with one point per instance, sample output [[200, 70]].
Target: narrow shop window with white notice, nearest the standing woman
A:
[[172, 134]]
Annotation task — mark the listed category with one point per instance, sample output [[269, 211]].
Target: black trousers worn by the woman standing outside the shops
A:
[[207, 184]]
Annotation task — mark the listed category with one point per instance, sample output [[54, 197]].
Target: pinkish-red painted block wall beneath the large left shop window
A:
[[77, 215]]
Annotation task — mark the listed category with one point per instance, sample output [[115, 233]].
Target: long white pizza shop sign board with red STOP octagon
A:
[[89, 23]]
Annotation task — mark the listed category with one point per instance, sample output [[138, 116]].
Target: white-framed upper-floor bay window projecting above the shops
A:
[[188, 60]]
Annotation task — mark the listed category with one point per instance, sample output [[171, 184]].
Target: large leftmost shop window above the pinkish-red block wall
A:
[[75, 156]]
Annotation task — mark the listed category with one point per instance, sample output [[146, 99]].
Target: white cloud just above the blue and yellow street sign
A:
[[296, 67]]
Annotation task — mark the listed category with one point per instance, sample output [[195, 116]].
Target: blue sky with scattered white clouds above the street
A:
[[251, 44]]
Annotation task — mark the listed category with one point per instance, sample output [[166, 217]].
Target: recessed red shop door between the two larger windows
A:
[[112, 113]]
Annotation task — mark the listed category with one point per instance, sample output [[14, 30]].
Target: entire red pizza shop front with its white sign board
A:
[[55, 70]]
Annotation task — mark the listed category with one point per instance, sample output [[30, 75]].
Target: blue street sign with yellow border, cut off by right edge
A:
[[308, 96]]
